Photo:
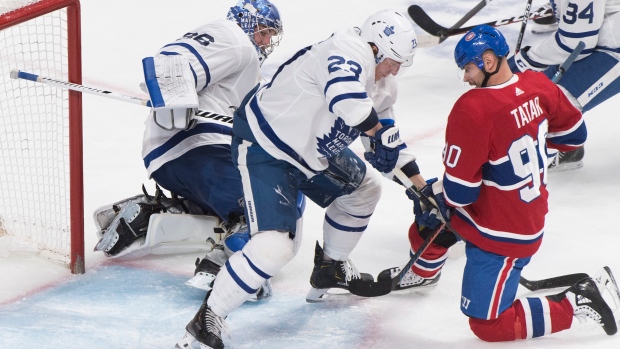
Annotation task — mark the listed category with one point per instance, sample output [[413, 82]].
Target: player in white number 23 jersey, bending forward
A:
[[292, 134]]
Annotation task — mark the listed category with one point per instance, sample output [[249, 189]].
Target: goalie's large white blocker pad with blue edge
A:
[[172, 91]]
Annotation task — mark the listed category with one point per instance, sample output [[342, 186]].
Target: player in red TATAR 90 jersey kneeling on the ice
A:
[[493, 194]]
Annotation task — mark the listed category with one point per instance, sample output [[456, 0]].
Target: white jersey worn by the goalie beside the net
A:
[[225, 67]]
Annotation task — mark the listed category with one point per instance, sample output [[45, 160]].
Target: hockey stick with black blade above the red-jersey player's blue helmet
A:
[[422, 19]]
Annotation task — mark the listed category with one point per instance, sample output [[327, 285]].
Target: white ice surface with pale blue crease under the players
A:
[[144, 303]]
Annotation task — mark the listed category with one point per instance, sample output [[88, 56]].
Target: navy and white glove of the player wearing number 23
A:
[[385, 145]]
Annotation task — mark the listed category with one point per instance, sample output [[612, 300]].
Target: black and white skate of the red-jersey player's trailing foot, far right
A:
[[588, 302]]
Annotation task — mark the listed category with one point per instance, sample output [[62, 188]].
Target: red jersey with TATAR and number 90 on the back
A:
[[496, 160]]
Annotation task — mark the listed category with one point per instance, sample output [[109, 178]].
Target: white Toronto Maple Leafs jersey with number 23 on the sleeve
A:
[[307, 115]]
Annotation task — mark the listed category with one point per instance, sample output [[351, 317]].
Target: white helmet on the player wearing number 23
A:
[[393, 36]]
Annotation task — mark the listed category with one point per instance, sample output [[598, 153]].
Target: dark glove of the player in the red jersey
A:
[[427, 214]]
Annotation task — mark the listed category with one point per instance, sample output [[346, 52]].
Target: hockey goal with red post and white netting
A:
[[41, 166]]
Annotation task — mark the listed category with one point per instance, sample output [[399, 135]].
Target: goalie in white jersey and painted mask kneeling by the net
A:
[[188, 152]]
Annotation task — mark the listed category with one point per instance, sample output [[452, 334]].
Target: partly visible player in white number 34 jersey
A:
[[595, 76]]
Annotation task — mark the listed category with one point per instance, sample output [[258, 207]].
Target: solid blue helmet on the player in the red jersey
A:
[[476, 41]]
